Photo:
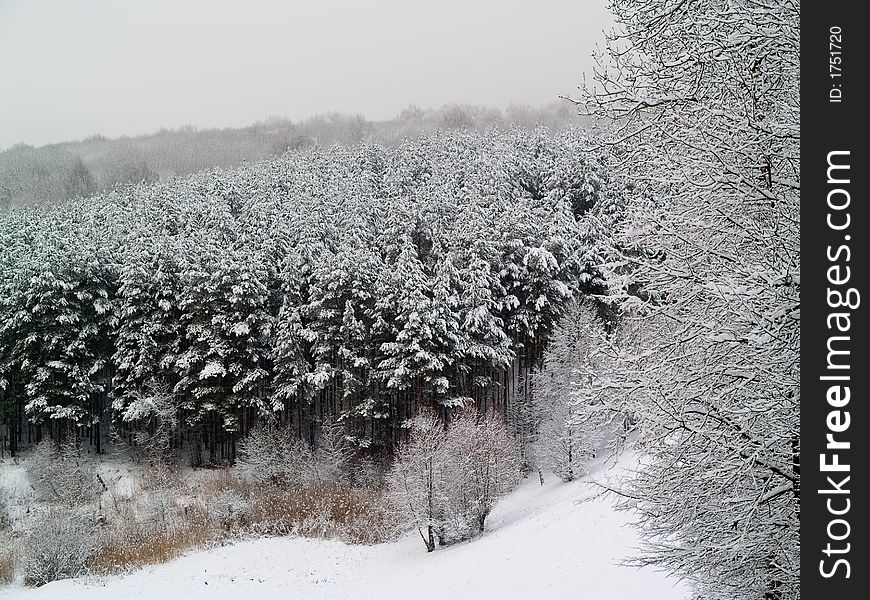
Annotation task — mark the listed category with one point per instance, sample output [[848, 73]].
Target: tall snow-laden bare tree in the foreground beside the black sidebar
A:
[[704, 98]]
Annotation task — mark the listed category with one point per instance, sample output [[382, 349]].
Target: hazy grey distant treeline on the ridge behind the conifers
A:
[[54, 172]]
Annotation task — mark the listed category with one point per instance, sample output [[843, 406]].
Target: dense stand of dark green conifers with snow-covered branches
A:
[[358, 283]]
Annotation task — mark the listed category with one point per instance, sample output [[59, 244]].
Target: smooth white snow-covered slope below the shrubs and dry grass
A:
[[551, 542]]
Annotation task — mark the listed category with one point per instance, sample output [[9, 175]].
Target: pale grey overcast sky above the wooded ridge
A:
[[73, 69]]
